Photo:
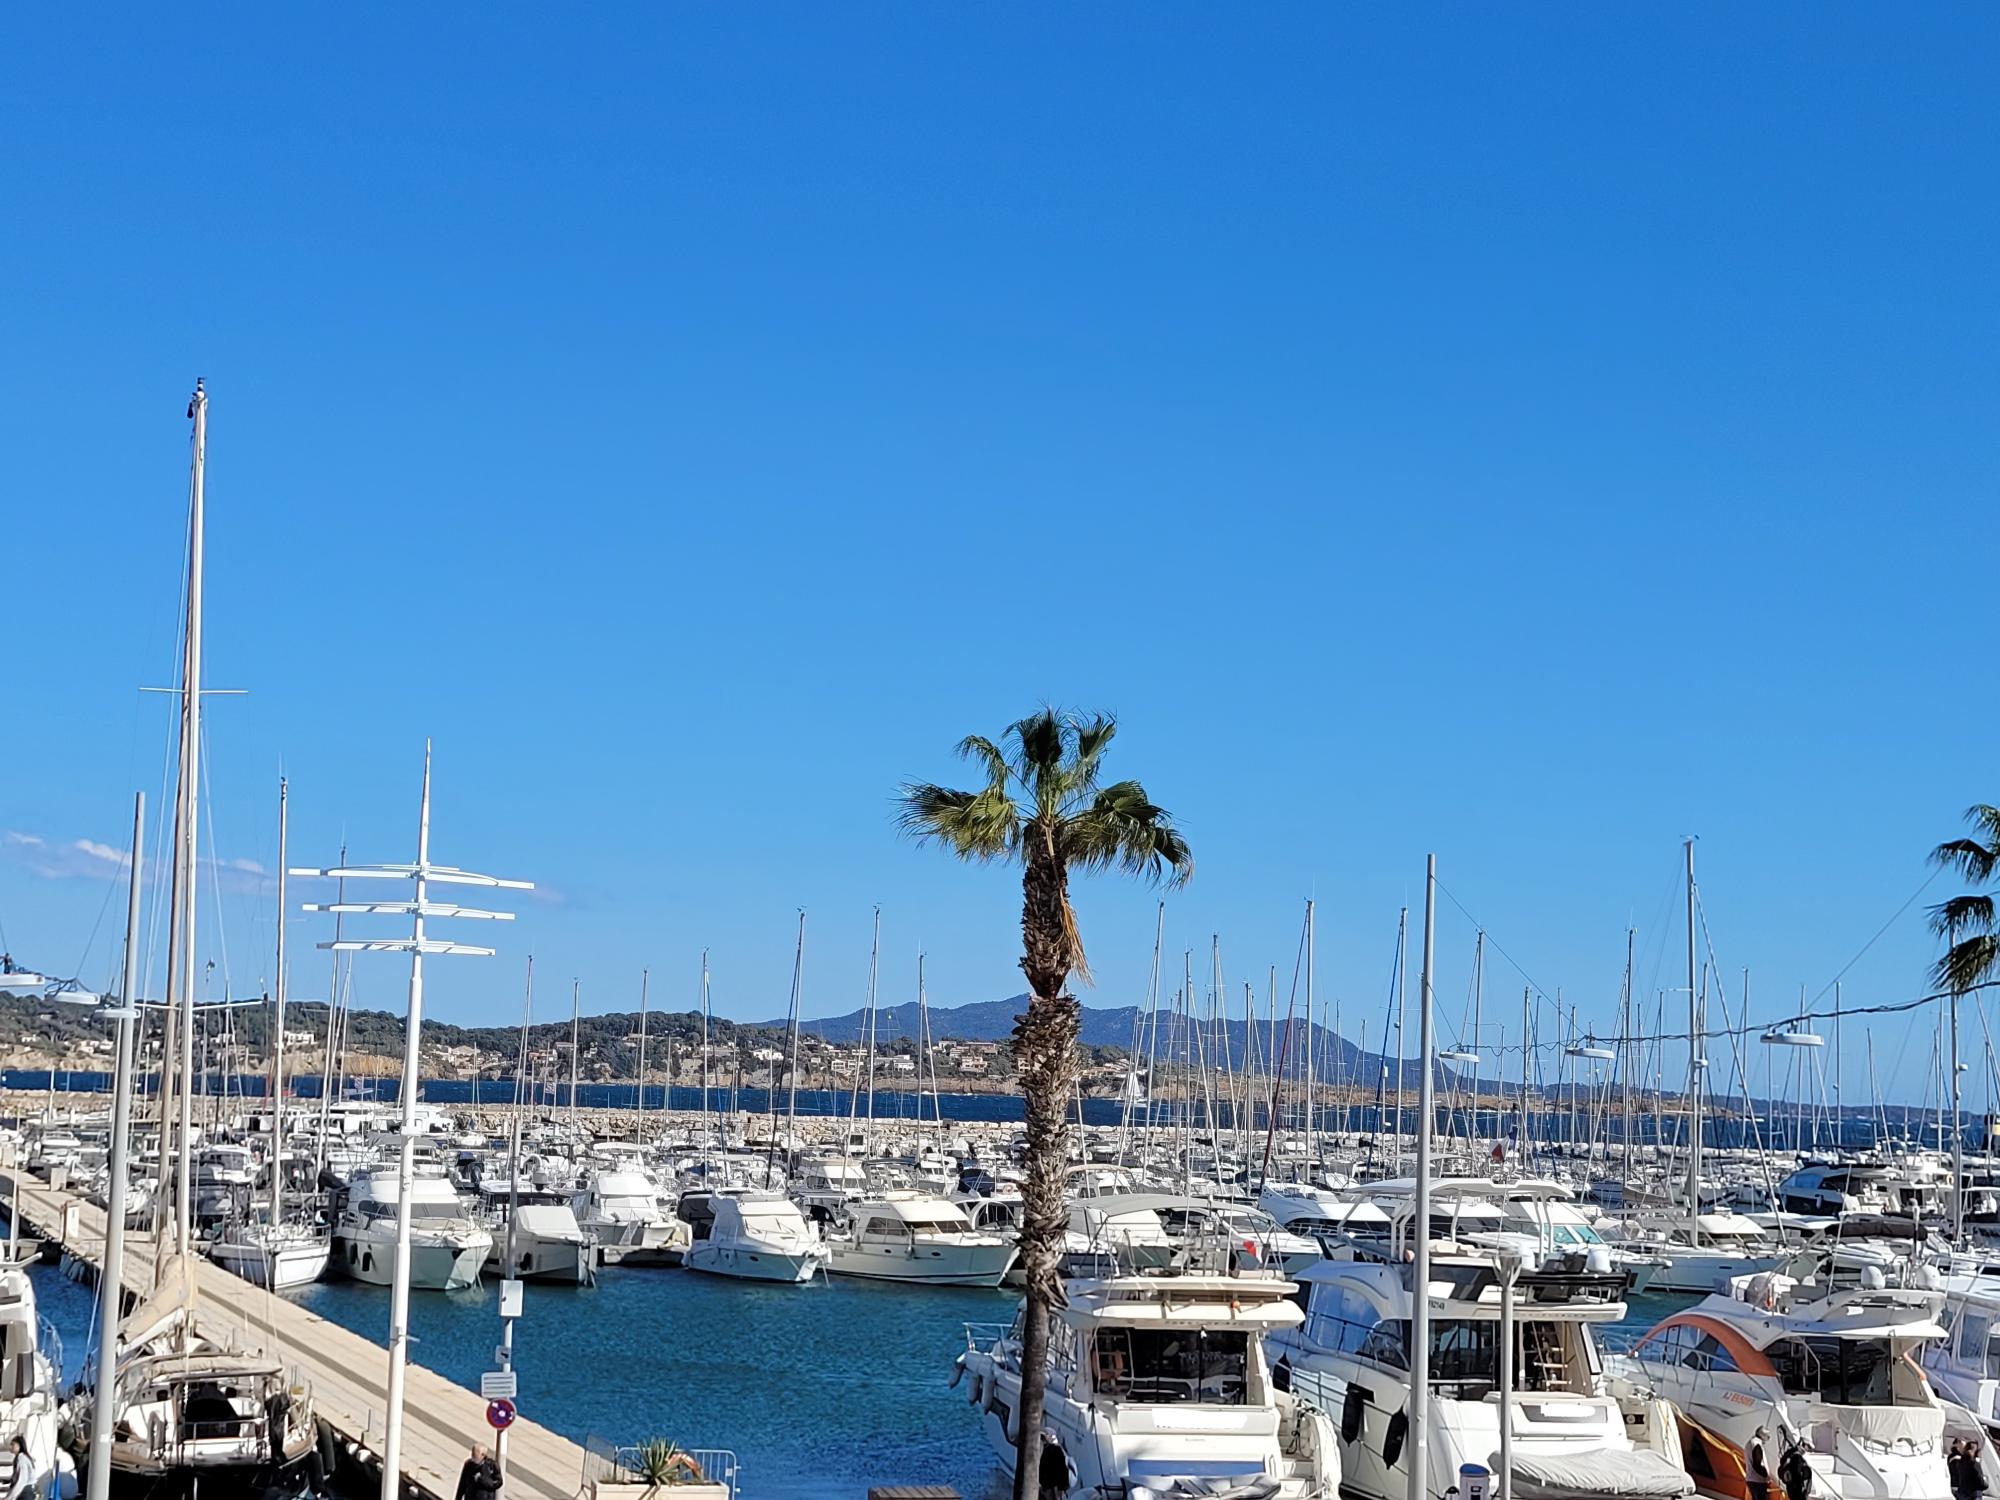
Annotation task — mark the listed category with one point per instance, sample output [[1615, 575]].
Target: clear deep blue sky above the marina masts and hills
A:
[[1529, 437]]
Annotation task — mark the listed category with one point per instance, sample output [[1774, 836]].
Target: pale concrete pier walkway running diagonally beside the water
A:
[[347, 1373]]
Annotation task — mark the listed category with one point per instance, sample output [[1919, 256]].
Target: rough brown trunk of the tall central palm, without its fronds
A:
[[1045, 1061]]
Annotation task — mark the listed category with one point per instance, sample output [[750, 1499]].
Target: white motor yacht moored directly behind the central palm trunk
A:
[[1159, 1385]]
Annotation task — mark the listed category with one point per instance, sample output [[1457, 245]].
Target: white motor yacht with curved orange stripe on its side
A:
[[1831, 1371]]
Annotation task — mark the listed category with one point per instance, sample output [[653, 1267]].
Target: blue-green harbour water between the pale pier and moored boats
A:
[[821, 1391]]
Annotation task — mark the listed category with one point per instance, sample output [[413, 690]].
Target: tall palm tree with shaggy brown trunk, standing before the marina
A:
[[1045, 809]]
